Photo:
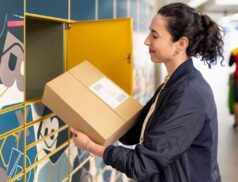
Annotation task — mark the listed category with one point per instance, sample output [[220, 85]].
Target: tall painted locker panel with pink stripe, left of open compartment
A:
[[11, 53]]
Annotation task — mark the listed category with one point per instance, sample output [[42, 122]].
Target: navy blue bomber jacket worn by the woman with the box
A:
[[181, 136]]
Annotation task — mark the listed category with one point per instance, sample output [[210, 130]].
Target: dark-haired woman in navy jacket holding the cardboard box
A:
[[176, 134]]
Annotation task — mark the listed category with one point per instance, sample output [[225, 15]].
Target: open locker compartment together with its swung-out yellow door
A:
[[107, 44]]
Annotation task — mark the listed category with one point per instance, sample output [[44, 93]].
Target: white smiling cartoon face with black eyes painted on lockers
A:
[[46, 127]]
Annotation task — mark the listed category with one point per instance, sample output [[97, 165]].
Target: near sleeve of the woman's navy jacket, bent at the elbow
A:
[[174, 131]]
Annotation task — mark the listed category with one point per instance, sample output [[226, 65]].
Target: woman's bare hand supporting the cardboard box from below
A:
[[84, 142]]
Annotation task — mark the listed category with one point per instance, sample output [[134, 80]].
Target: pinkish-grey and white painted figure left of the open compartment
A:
[[11, 70]]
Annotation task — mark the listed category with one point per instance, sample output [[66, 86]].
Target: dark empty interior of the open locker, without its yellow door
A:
[[44, 54]]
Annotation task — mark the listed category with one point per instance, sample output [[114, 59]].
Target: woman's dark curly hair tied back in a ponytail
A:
[[204, 35]]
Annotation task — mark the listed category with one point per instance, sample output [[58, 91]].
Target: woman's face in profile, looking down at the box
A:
[[159, 41]]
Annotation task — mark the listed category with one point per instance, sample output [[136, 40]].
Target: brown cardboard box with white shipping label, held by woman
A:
[[87, 100]]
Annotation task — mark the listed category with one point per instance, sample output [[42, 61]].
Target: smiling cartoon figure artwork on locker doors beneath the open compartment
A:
[[54, 167]]
